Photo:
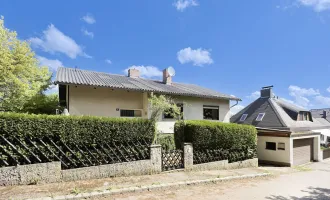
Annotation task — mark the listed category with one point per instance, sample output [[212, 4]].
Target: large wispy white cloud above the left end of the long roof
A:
[[53, 40]]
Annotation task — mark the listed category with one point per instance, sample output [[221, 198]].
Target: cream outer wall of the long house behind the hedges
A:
[[85, 100]]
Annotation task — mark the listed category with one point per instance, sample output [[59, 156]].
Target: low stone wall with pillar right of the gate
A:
[[218, 165]]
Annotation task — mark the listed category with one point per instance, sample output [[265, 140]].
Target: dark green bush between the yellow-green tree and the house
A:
[[42, 104]]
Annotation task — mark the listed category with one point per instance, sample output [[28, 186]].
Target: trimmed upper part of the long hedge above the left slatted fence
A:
[[84, 129]]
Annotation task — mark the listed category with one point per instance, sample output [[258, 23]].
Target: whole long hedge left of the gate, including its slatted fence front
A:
[[75, 141]]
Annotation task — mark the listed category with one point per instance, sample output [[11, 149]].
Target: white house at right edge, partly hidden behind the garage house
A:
[[323, 116]]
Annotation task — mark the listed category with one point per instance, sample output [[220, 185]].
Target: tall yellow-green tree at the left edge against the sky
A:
[[21, 77]]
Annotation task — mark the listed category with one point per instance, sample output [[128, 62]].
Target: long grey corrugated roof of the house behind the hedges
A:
[[91, 78]]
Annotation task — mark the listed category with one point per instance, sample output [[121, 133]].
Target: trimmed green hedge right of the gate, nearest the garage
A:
[[236, 141]]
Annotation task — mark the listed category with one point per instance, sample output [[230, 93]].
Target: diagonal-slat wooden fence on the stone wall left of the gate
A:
[[71, 155]]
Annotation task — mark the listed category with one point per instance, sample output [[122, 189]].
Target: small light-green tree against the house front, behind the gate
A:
[[162, 104]]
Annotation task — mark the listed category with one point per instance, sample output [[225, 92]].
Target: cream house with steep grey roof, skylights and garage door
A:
[[288, 135]]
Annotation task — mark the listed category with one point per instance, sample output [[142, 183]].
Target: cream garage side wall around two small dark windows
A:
[[281, 157]]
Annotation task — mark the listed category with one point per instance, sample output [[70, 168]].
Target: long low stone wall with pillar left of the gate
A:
[[51, 172]]
